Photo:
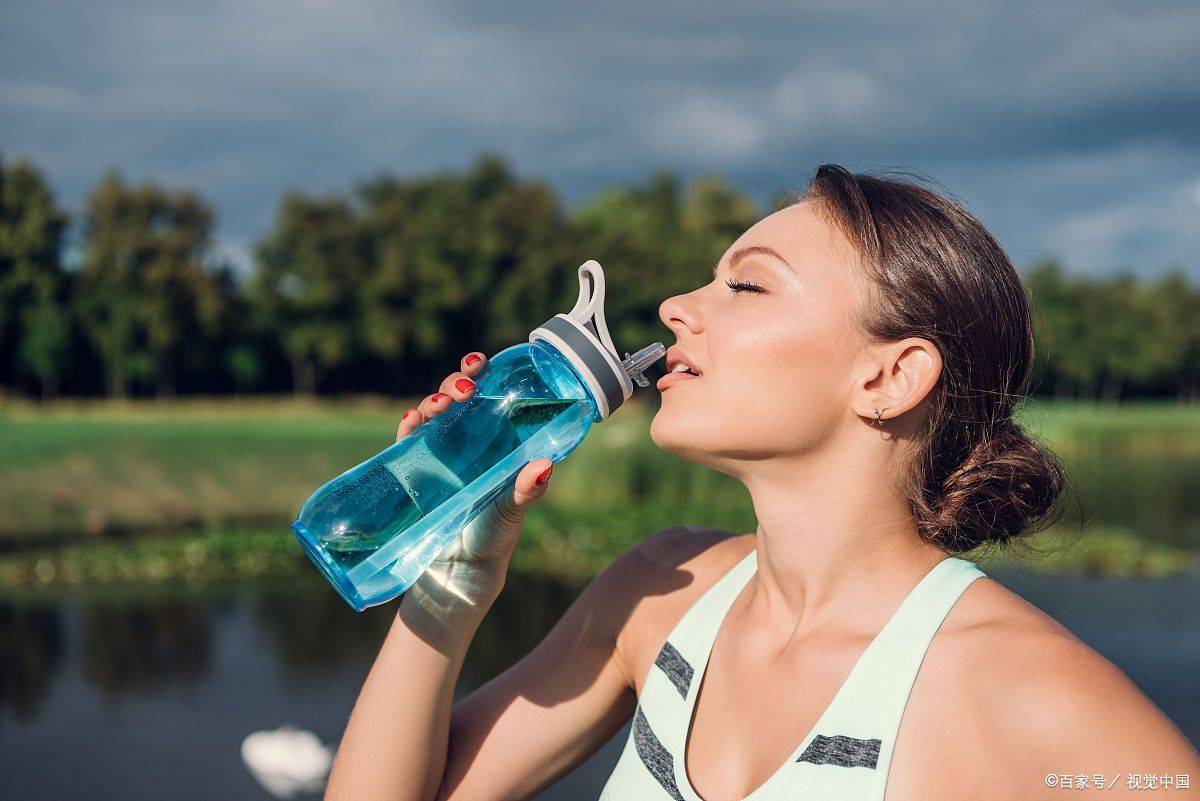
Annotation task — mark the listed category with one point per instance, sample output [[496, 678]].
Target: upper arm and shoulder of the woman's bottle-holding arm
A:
[[538, 721]]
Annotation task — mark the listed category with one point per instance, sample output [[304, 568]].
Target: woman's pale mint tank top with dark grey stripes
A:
[[848, 752]]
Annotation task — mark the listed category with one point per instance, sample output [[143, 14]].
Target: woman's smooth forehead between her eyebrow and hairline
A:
[[803, 236]]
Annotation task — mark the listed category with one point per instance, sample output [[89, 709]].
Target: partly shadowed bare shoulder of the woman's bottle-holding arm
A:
[[659, 579]]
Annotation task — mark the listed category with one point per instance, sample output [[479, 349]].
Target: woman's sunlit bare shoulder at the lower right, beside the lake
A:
[[1039, 701]]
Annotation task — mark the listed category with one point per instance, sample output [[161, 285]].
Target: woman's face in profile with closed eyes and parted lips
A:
[[776, 366]]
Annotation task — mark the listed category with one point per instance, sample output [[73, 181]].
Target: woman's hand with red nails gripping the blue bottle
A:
[[469, 575]]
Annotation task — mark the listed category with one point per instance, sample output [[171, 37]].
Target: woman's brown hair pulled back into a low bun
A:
[[937, 273]]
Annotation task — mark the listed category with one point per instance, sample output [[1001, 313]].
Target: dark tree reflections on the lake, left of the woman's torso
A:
[[143, 646]]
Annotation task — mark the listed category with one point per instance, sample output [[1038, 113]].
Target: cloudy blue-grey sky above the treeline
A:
[[1071, 129]]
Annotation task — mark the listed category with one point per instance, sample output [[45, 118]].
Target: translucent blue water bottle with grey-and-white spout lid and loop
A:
[[376, 528]]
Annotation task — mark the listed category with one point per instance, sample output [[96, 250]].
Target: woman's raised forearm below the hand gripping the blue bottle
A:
[[397, 740]]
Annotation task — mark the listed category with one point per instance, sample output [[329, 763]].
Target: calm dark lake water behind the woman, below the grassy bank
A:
[[148, 695]]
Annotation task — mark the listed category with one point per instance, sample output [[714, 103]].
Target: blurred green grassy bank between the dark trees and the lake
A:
[[205, 491]]
